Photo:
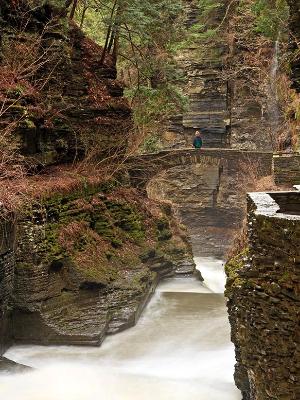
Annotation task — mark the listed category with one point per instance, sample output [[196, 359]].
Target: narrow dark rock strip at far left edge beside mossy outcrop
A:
[[6, 282]]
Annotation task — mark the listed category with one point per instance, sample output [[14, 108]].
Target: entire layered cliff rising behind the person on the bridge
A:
[[227, 80]]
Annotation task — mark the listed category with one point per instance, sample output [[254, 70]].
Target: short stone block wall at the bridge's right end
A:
[[287, 169]]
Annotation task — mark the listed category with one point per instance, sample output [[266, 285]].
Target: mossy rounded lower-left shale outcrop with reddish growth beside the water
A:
[[87, 263]]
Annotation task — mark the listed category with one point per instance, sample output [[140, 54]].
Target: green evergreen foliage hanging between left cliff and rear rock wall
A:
[[142, 38]]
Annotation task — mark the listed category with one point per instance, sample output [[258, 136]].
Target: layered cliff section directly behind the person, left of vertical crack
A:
[[201, 63]]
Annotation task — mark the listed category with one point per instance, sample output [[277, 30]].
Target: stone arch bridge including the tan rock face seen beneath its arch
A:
[[207, 186]]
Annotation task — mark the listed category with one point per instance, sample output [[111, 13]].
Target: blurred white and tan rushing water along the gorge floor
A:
[[179, 350]]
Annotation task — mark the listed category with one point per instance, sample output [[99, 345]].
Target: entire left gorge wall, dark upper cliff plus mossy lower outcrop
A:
[[83, 251]]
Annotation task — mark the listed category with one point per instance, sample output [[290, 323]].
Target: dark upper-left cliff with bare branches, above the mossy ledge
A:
[[61, 101]]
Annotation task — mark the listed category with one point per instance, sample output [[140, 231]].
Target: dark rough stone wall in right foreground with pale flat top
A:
[[263, 290]]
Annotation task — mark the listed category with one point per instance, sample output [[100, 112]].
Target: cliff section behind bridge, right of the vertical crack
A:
[[248, 69]]
